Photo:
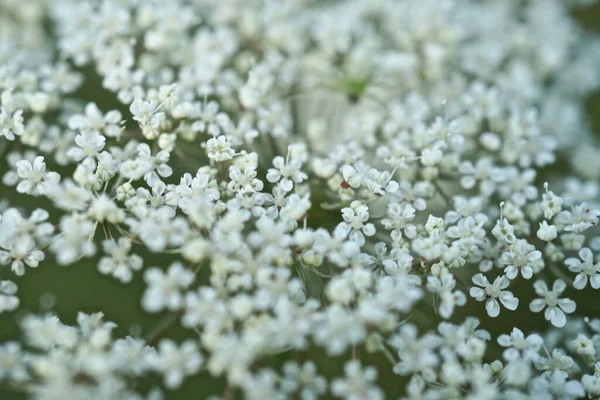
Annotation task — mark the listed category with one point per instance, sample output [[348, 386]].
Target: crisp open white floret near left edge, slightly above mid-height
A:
[[35, 180]]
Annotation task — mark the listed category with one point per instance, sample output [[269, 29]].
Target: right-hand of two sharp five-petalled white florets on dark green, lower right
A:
[[555, 307]]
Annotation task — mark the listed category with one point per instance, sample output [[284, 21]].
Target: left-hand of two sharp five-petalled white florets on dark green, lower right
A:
[[491, 293]]
